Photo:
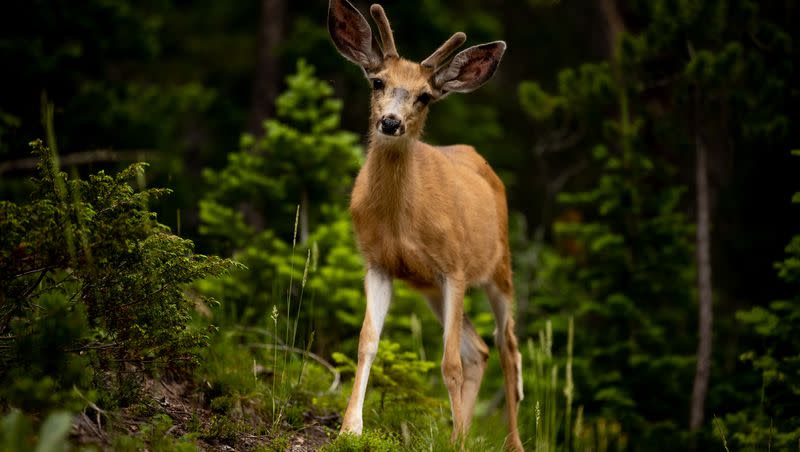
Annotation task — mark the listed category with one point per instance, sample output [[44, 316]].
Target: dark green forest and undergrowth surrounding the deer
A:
[[646, 148]]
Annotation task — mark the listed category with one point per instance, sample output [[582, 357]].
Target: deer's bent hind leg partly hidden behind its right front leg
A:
[[474, 355]]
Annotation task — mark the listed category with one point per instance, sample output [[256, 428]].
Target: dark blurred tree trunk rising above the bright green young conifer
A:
[[267, 73]]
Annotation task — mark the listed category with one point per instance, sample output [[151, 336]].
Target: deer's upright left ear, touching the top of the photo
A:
[[352, 35]]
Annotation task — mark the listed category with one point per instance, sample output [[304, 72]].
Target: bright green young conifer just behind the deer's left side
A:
[[302, 156]]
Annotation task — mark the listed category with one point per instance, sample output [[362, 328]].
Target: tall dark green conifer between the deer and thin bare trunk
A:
[[633, 275]]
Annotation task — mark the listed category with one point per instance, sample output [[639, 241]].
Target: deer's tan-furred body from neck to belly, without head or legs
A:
[[422, 212]]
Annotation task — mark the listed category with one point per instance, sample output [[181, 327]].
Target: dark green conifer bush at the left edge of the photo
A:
[[91, 281]]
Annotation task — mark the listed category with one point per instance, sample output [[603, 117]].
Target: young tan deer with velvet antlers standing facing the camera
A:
[[435, 217]]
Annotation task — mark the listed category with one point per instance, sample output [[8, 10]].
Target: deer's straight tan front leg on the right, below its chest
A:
[[452, 370]]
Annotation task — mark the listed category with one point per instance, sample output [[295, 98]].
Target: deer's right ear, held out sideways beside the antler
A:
[[470, 69]]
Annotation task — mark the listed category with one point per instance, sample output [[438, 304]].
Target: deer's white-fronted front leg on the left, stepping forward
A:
[[378, 286]]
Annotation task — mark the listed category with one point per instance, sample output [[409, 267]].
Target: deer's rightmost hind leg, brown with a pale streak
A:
[[500, 291]]
